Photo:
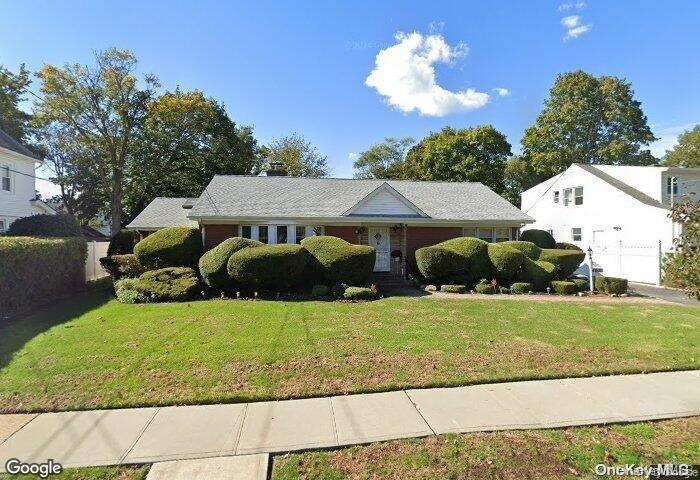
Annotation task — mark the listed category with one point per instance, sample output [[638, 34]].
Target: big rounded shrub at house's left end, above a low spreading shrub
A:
[[170, 247]]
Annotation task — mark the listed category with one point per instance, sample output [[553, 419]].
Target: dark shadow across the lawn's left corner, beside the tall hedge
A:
[[16, 331]]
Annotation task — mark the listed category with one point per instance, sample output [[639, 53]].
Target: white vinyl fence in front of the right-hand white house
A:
[[637, 262]]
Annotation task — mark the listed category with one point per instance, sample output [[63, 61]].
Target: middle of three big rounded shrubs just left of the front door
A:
[[278, 267]]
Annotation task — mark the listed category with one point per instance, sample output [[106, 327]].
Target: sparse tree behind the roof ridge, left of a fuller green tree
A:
[[384, 160]]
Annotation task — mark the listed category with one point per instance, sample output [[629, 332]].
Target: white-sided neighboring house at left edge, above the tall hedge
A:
[[17, 185]]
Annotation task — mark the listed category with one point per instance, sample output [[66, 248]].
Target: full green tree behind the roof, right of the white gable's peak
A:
[[475, 154]]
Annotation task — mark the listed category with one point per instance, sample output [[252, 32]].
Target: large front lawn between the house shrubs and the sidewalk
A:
[[95, 352]]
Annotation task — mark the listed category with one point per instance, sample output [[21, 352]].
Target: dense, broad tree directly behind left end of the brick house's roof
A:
[[185, 140]]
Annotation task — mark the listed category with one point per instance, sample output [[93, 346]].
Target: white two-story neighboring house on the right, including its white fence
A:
[[620, 212]]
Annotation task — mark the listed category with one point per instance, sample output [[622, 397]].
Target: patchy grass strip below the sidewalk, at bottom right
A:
[[543, 454]]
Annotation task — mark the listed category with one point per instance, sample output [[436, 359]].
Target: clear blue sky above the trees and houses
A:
[[302, 67]]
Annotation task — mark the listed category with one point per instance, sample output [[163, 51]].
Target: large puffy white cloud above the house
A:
[[404, 73]]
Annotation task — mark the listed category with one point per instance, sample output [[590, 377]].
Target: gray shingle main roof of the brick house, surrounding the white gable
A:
[[294, 197]]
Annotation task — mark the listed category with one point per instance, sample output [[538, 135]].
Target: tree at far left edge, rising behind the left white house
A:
[[13, 90]]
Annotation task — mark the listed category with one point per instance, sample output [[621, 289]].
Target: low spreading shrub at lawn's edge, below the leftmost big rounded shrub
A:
[[172, 284]]
